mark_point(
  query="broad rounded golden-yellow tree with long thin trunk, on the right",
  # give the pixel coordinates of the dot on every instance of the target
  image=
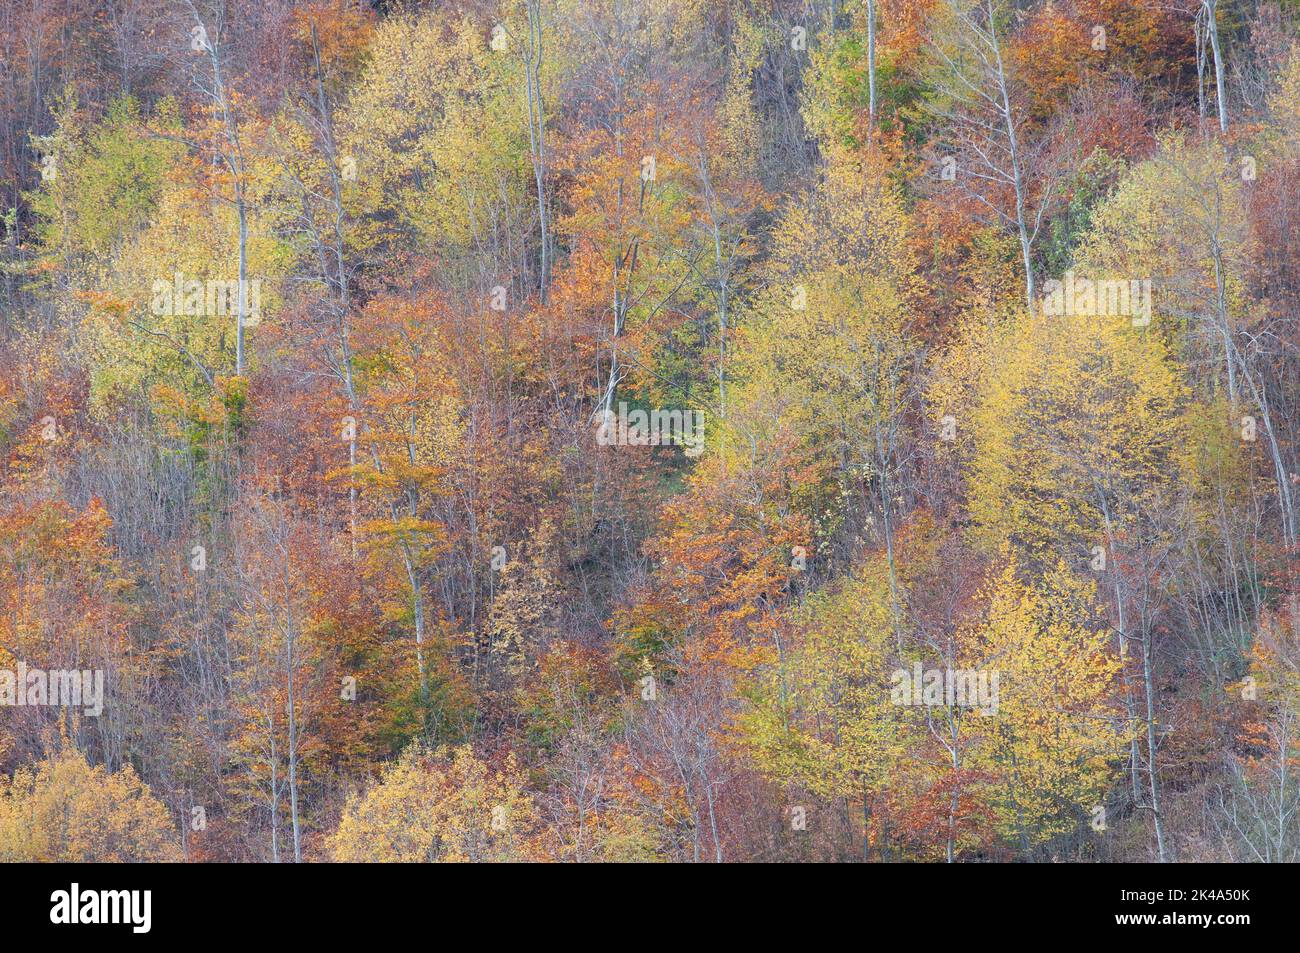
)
(1077, 428)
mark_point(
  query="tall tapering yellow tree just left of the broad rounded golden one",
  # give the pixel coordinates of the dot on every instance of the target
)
(831, 333)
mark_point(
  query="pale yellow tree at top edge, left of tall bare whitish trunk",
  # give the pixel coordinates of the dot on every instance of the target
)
(435, 137)
